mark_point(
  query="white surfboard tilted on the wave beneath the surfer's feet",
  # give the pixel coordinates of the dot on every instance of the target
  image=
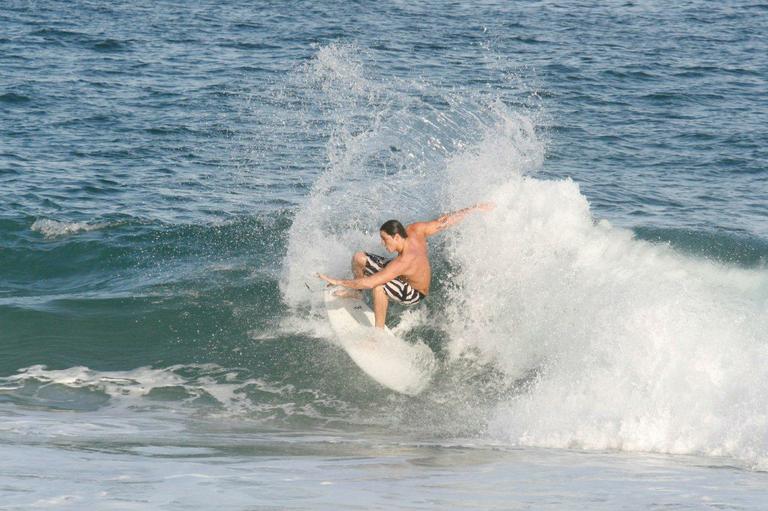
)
(389, 360)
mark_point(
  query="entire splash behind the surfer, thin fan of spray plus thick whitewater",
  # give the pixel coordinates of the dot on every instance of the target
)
(605, 340)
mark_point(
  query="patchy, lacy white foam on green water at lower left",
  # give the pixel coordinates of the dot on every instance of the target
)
(203, 390)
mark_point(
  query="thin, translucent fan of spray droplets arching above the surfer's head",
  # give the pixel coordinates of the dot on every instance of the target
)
(387, 149)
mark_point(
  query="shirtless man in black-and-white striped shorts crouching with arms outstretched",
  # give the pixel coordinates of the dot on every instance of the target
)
(405, 278)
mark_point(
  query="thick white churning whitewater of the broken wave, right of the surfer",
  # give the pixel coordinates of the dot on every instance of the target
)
(640, 348)
